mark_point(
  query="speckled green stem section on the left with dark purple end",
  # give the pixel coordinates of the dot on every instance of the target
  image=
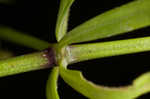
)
(24, 63)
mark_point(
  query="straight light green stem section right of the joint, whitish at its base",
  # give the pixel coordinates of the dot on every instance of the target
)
(89, 51)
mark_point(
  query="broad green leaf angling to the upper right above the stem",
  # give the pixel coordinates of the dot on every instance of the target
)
(120, 20)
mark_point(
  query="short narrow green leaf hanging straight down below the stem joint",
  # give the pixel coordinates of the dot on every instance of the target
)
(51, 88)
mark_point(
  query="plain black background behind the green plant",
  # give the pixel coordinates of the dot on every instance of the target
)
(37, 18)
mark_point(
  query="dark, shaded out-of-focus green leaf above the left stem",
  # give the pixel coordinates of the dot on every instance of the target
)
(22, 39)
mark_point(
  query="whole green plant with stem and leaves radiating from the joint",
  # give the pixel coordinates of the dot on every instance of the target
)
(120, 20)
